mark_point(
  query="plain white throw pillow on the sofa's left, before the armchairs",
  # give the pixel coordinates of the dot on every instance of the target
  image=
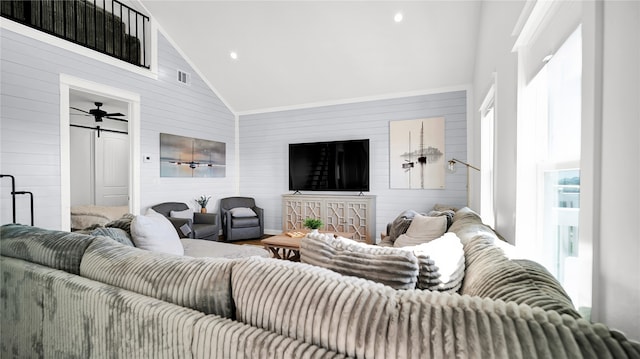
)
(154, 232)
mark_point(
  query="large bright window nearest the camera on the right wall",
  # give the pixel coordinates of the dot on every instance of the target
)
(551, 156)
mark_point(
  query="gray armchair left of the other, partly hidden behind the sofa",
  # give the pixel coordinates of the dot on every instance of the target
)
(201, 226)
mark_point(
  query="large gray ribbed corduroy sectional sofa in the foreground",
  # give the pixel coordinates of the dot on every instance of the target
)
(76, 295)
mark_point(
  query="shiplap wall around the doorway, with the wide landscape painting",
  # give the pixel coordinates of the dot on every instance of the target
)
(30, 127)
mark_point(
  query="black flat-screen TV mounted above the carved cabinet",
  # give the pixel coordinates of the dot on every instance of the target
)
(329, 166)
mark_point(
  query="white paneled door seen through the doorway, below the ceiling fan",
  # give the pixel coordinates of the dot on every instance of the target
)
(112, 169)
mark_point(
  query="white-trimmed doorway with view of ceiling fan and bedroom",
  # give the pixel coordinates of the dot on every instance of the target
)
(99, 159)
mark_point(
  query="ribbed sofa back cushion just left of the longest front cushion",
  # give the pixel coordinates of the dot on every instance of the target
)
(202, 284)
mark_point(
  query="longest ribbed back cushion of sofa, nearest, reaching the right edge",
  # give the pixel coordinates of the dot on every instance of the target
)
(362, 319)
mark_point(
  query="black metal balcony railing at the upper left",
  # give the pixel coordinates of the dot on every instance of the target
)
(106, 26)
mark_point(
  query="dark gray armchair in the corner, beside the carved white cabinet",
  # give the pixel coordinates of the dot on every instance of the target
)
(237, 222)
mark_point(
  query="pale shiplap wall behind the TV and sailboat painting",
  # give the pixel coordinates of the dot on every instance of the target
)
(264, 139)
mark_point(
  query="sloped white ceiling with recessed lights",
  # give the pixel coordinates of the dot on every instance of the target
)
(295, 54)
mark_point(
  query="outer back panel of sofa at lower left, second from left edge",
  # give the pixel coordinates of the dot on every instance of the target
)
(89, 319)
